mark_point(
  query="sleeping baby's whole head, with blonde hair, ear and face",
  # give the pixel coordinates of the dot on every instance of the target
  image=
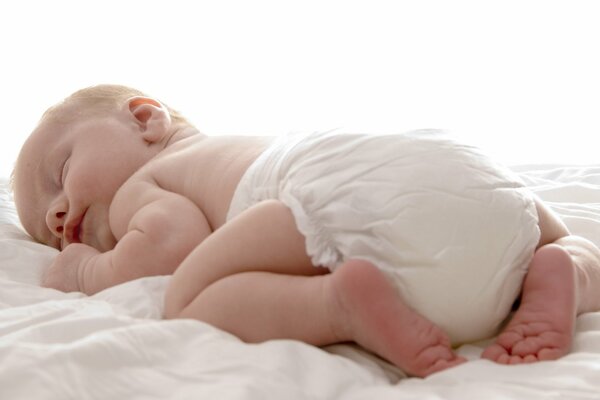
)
(82, 150)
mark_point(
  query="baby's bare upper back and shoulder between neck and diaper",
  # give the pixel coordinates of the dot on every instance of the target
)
(204, 169)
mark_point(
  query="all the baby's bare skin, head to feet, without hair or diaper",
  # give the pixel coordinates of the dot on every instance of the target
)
(156, 203)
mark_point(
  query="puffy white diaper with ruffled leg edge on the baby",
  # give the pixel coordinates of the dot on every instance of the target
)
(454, 231)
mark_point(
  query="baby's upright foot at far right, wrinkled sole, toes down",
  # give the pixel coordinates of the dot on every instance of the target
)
(542, 327)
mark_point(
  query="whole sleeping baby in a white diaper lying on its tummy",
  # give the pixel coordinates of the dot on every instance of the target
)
(400, 224)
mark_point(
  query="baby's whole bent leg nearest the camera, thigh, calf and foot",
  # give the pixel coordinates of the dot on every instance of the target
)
(250, 278)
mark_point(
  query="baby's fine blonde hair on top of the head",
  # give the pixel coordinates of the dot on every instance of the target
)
(100, 99)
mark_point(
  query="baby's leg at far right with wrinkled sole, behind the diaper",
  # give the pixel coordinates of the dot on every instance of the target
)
(562, 282)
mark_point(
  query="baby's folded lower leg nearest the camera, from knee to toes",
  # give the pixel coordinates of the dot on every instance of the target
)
(355, 303)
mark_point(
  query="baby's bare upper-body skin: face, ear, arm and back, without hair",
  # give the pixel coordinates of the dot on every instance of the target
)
(132, 213)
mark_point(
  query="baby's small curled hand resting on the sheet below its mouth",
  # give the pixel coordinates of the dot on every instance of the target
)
(64, 272)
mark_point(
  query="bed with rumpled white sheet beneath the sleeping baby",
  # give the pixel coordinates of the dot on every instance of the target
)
(114, 345)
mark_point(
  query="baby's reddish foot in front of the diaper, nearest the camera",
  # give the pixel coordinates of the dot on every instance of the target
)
(374, 315)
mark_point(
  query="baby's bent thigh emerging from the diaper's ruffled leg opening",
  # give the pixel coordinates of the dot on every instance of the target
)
(262, 238)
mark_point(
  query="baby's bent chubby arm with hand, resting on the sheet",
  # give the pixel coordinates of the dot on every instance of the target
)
(158, 237)
